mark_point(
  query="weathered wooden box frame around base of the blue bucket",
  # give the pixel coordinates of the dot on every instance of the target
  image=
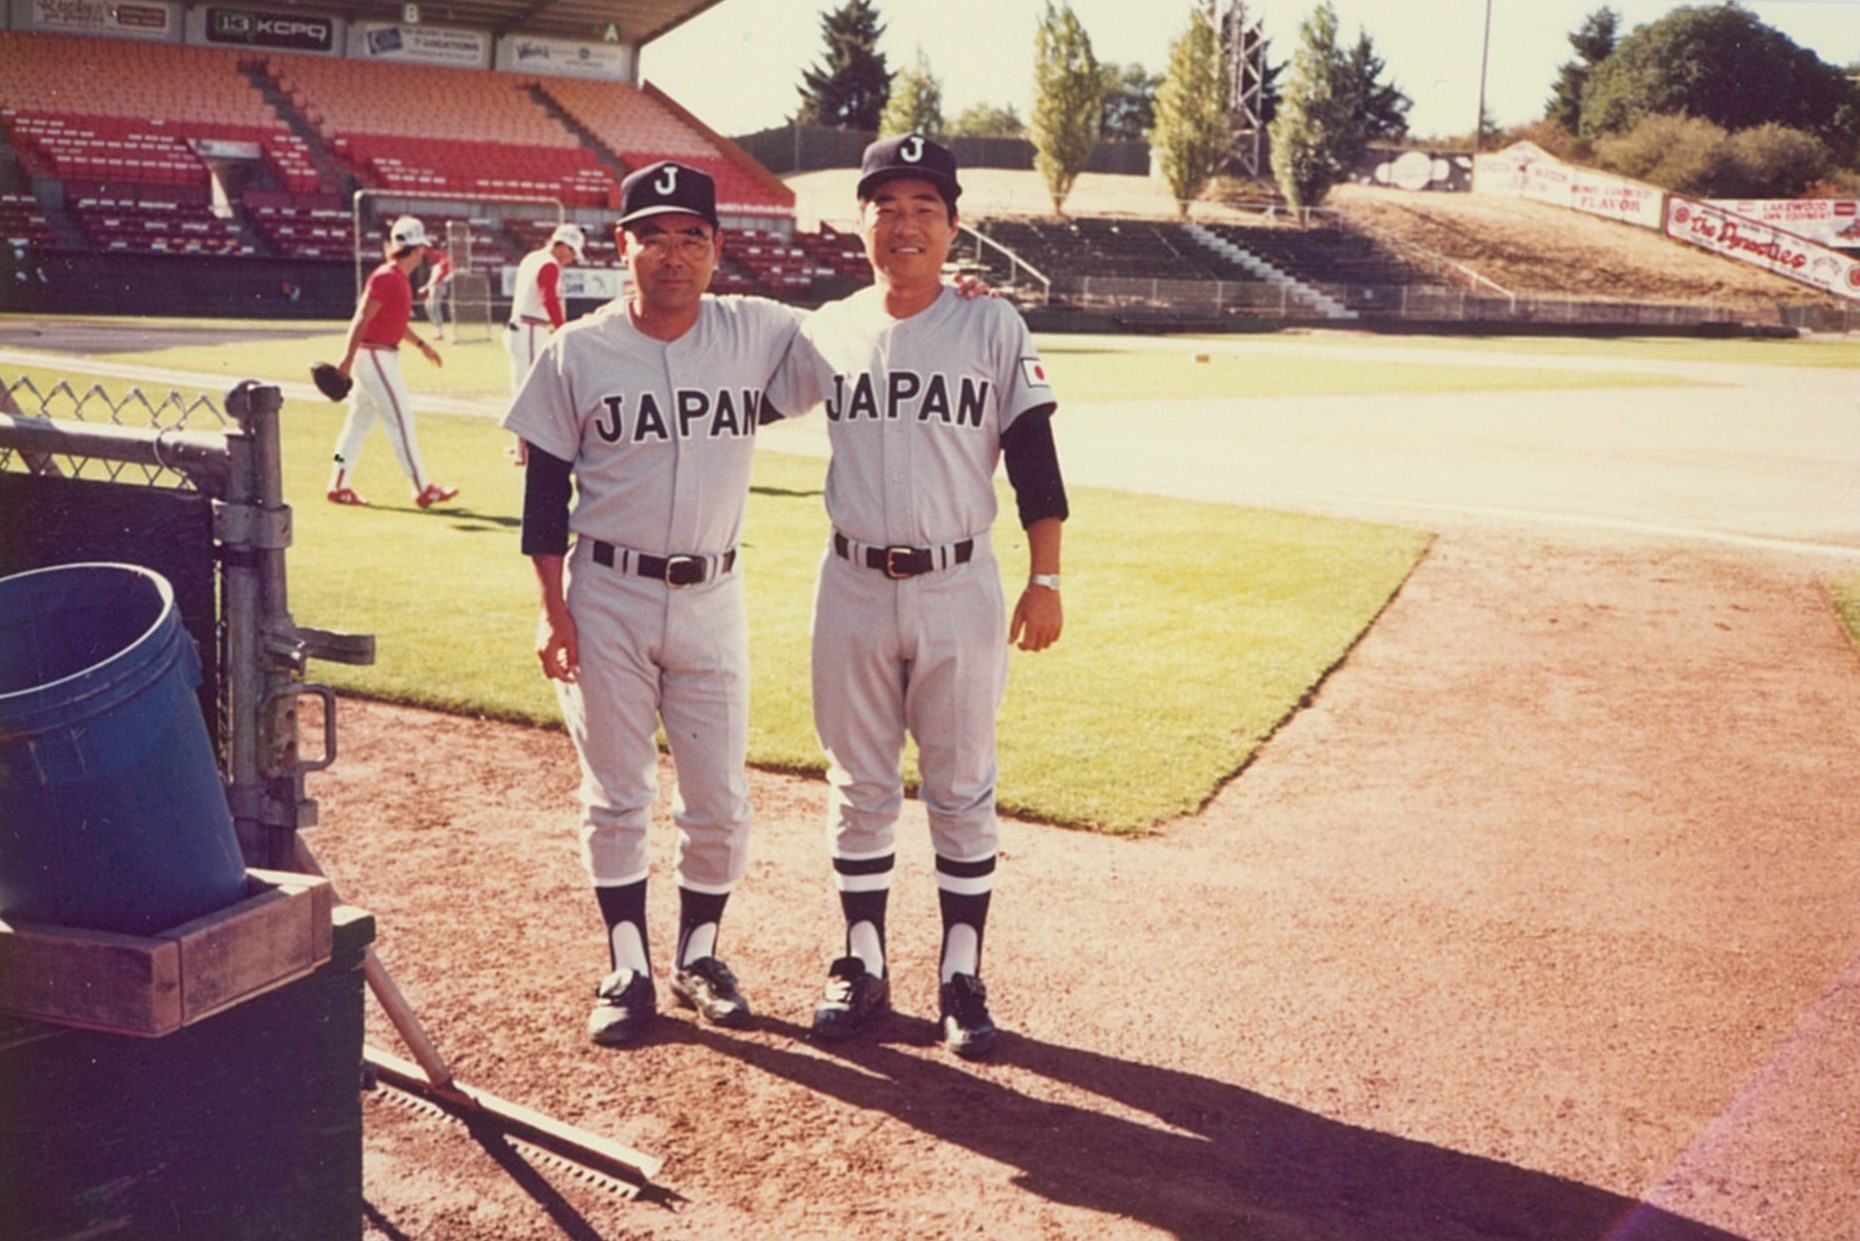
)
(155, 985)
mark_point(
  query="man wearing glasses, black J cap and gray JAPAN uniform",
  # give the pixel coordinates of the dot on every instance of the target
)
(646, 412)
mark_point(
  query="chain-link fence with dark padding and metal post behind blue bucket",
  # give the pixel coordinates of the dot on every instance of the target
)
(194, 492)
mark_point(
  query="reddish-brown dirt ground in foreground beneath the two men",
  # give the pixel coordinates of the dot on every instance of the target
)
(1539, 924)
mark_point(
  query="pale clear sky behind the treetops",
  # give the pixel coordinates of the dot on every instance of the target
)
(737, 64)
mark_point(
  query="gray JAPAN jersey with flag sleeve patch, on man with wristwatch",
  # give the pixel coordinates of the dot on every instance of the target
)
(916, 412)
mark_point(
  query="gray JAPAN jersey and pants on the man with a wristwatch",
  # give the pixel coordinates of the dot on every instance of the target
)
(916, 414)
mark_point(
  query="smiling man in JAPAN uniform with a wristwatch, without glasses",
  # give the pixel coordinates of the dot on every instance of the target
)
(925, 394)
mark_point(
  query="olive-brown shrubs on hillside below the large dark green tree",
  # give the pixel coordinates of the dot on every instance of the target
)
(1690, 155)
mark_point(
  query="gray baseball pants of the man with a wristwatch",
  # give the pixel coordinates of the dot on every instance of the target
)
(925, 656)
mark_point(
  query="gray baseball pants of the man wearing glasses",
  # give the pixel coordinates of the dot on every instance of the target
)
(656, 654)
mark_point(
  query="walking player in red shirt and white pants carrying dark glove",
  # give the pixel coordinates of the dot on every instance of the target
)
(380, 325)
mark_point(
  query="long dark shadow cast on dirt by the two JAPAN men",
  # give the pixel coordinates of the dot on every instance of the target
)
(1206, 1160)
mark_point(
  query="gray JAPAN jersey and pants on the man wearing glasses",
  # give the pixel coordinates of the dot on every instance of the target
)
(661, 438)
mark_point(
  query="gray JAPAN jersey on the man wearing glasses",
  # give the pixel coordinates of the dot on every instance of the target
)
(661, 434)
